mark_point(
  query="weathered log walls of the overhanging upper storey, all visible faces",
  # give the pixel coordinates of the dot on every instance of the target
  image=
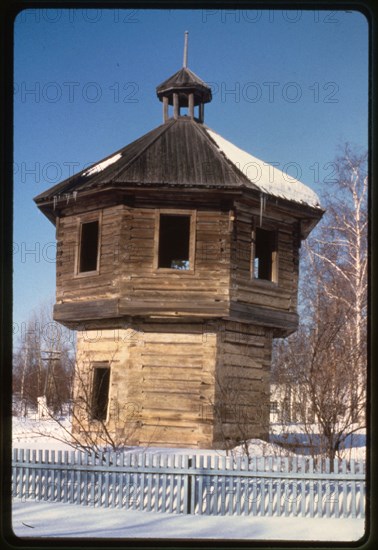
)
(220, 285)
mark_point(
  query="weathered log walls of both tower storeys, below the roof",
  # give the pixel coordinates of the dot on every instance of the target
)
(197, 383)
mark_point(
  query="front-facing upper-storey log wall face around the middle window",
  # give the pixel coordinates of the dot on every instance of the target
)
(145, 289)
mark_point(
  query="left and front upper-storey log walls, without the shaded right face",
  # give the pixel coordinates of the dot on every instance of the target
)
(127, 272)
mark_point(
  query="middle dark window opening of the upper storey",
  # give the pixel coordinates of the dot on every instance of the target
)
(174, 241)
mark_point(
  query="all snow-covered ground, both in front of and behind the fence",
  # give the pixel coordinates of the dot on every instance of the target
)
(44, 519)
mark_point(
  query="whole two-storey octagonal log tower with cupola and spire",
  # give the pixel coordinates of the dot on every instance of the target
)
(177, 265)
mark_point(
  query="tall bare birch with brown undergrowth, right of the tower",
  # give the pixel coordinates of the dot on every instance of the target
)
(326, 358)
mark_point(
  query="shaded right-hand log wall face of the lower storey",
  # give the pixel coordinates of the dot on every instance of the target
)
(242, 384)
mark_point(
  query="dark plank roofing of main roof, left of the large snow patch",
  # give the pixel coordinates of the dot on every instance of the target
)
(180, 152)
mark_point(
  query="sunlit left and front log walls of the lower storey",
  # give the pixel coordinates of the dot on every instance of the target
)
(160, 377)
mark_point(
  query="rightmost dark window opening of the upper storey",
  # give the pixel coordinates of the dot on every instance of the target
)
(265, 255)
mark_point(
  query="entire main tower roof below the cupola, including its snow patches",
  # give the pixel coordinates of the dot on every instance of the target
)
(182, 153)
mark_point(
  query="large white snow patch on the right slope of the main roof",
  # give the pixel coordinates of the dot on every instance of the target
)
(268, 178)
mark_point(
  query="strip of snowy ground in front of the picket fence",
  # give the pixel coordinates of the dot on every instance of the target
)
(42, 519)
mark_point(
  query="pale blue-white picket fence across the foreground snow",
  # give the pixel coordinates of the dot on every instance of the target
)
(197, 484)
